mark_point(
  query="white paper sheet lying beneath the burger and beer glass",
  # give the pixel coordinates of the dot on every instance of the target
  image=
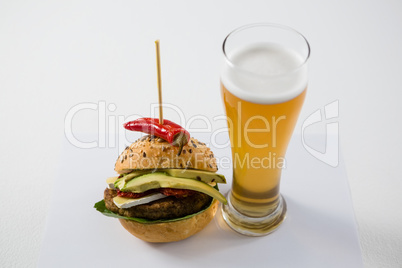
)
(319, 229)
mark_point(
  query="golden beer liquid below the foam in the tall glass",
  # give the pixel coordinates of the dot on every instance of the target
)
(259, 137)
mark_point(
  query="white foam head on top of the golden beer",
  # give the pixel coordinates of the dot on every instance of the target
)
(265, 73)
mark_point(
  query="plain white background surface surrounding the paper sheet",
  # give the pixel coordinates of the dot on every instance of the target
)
(57, 54)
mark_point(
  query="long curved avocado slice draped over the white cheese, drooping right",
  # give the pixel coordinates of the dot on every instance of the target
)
(162, 180)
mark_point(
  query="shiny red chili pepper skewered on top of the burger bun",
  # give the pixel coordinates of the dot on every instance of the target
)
(169, 131)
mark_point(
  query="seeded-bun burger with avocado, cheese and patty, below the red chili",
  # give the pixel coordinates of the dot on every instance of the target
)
(163, 193)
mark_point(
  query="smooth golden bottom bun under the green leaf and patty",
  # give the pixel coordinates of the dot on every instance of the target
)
(171, 231)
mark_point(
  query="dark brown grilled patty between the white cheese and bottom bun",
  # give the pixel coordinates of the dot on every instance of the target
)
(166, 208)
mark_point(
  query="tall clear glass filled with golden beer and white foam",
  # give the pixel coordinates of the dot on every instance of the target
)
(263, 86)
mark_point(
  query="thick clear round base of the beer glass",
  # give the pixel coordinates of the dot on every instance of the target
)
(251, 226)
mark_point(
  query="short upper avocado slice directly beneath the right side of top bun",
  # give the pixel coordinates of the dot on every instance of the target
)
(199, 175)
